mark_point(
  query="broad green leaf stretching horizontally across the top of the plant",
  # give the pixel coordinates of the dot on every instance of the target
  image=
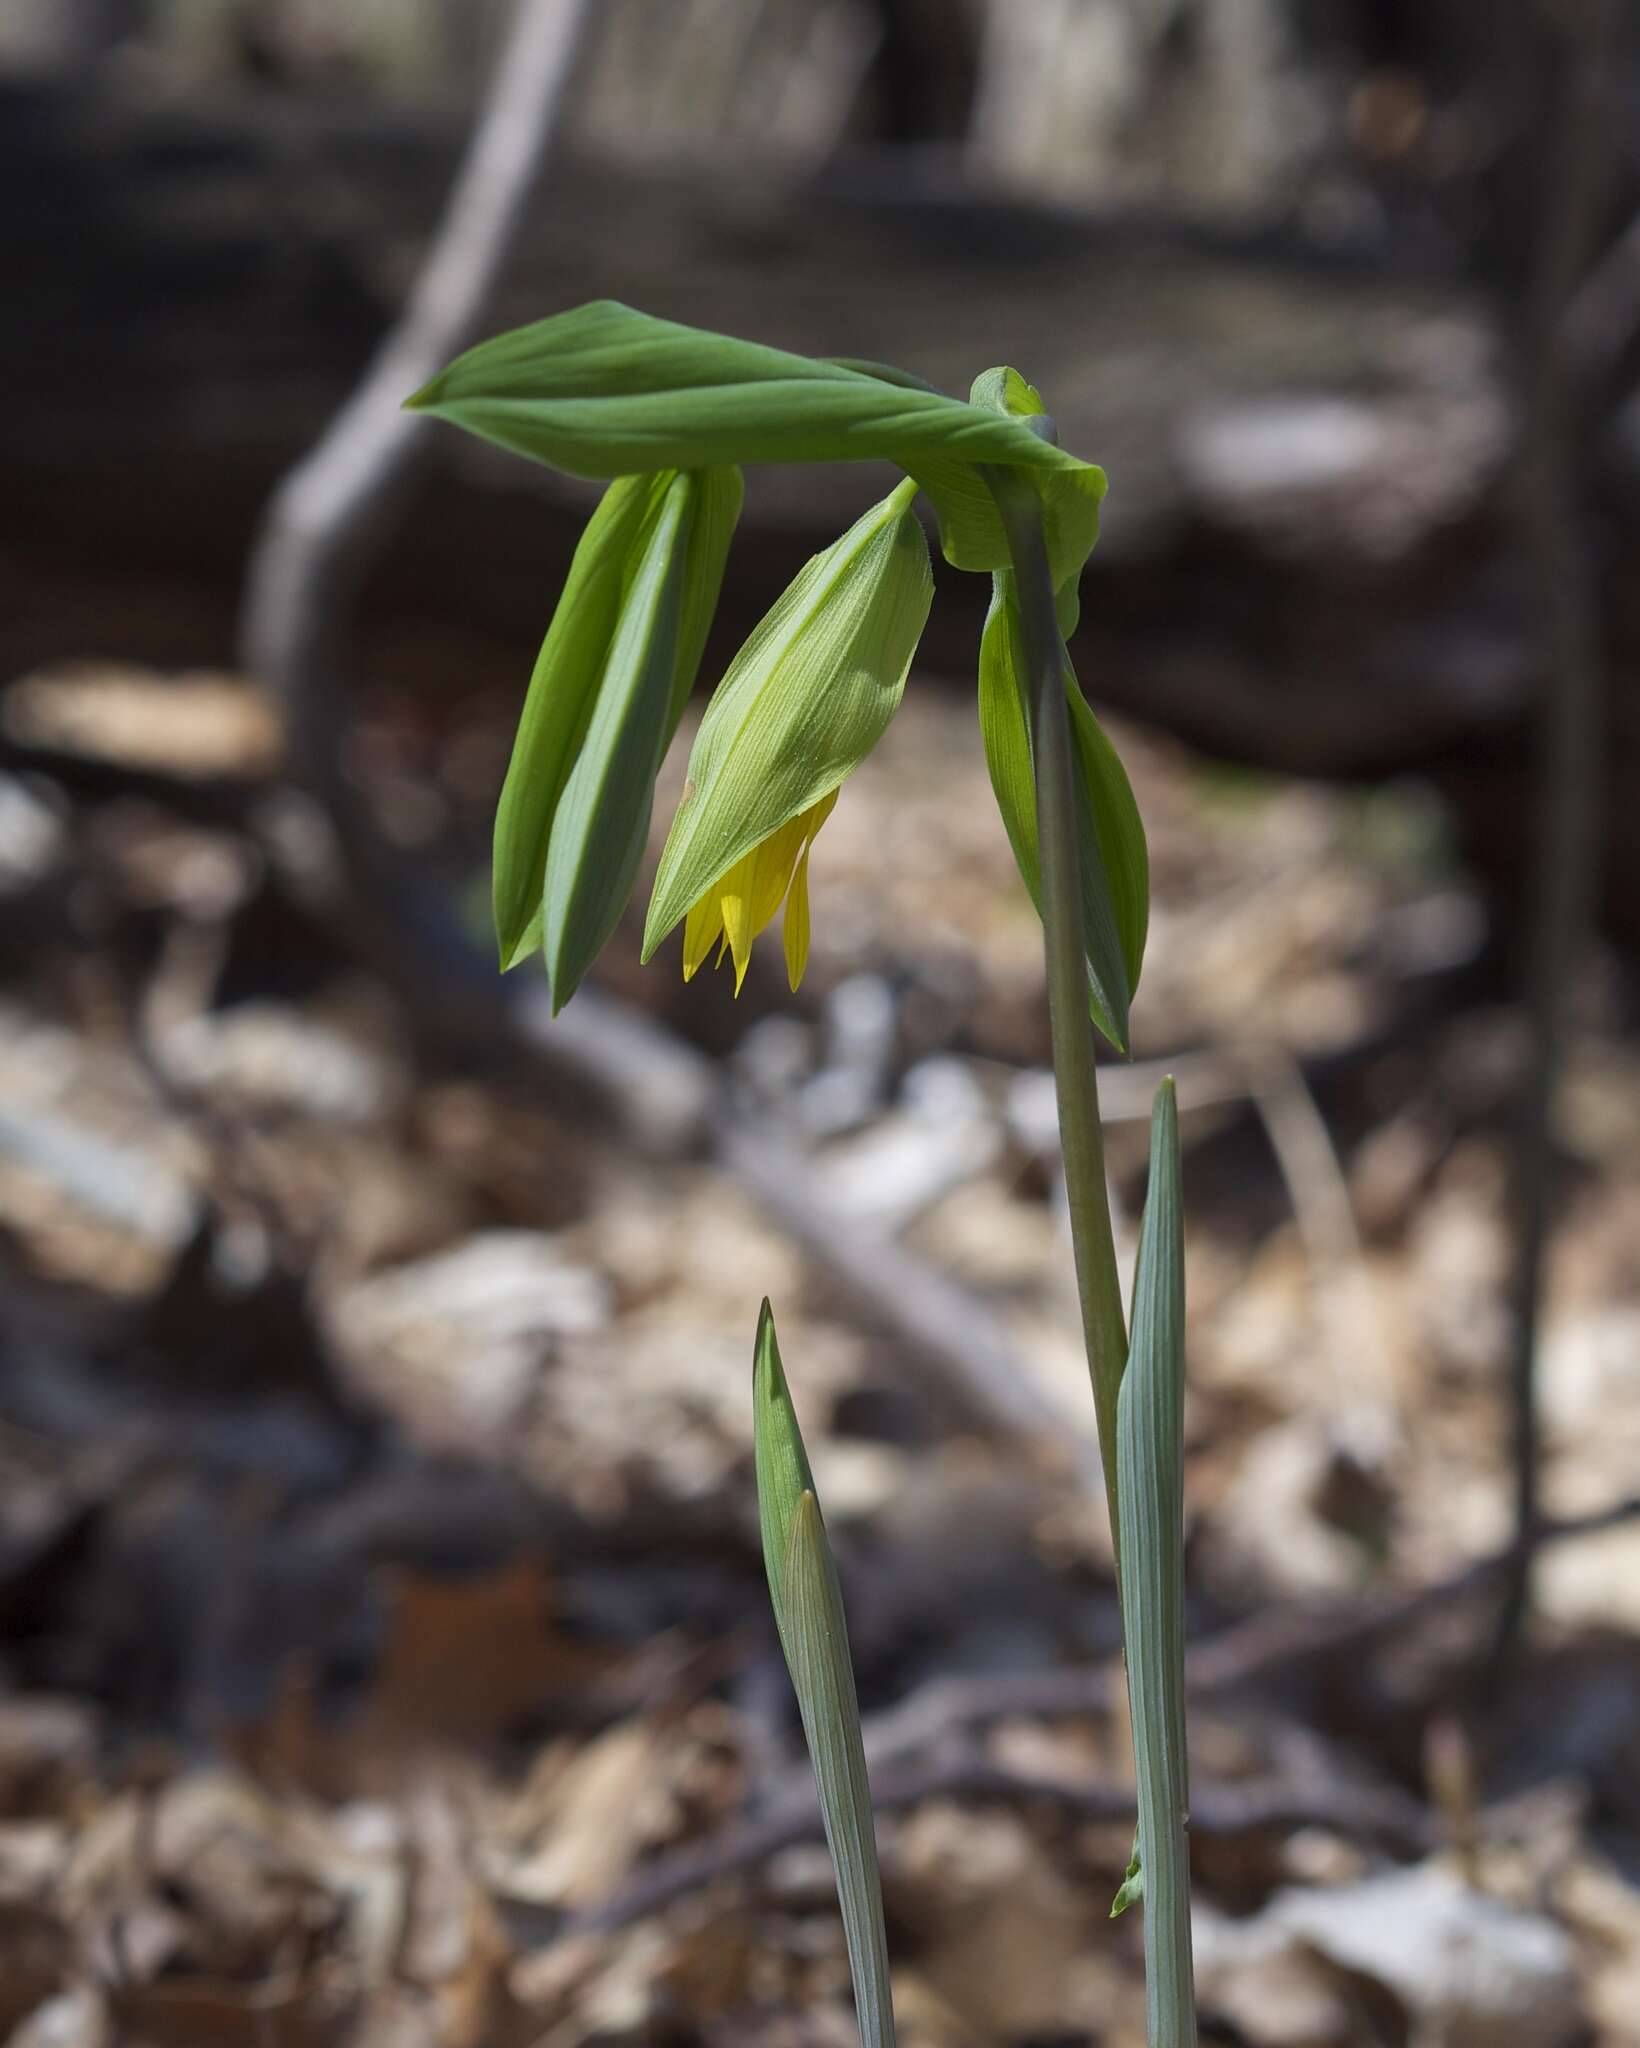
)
(603, 392)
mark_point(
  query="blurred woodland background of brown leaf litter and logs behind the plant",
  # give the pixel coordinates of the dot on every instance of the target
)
(384, 1648)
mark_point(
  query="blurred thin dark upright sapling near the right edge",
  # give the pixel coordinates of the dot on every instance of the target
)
(1555, 540)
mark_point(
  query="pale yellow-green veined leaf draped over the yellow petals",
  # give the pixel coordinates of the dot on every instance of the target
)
(804, 703)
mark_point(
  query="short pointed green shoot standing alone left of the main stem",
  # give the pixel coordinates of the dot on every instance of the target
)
(814, 1635)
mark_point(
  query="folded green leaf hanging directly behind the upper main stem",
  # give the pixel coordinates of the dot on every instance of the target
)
(1115, 863)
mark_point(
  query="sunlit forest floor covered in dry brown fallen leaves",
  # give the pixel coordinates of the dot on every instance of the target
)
(386, 1652)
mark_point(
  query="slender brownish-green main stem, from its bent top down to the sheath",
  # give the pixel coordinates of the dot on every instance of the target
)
(1070, 1021)
